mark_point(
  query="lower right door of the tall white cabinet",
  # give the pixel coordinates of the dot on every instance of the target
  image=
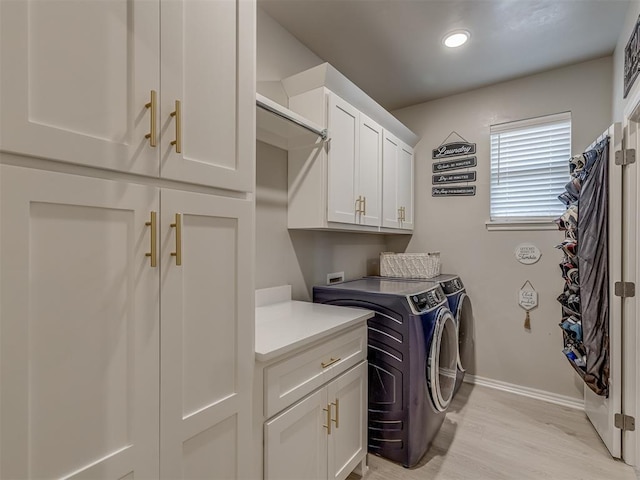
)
(206, 336)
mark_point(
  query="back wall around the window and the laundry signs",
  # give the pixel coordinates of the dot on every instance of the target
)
(484, 259)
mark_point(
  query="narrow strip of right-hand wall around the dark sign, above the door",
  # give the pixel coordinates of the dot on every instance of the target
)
(619, 103)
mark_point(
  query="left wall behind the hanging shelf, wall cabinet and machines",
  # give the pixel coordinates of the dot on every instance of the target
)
(299, 258)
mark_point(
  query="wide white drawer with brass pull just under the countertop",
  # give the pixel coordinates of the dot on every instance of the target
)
(291, 379)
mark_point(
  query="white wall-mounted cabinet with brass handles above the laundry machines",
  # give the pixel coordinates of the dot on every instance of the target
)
(338, 184)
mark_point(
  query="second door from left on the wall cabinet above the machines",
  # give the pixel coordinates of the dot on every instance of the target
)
(369, 168)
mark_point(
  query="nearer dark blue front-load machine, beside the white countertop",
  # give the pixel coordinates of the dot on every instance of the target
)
(412, 354)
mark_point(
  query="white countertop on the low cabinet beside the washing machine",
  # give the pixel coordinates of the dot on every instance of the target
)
(286, 325)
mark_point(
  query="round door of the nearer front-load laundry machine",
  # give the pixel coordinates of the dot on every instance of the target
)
(442, 360)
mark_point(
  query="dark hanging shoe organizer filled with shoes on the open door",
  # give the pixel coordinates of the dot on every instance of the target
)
(584, 267)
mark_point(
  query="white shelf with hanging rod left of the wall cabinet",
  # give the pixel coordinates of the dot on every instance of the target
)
(283, 128)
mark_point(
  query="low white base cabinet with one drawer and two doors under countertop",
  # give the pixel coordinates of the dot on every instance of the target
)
(314, 418)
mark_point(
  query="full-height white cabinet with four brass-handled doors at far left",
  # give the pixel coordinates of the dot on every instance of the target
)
(126, 238)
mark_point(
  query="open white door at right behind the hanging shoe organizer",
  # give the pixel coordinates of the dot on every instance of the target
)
(601, 410)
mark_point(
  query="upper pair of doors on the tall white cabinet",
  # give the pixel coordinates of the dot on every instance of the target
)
(96, 86)
